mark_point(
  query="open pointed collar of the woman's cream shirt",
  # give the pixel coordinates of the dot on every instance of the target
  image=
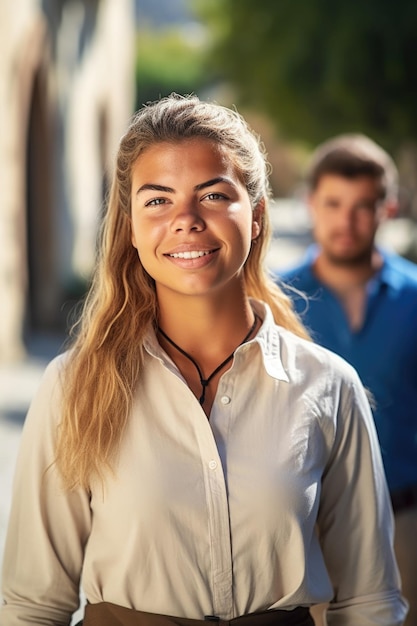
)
(267, 339)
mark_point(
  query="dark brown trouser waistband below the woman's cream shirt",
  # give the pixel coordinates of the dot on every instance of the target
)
(107, 614)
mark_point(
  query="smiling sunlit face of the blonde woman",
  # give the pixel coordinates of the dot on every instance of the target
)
(192, 220)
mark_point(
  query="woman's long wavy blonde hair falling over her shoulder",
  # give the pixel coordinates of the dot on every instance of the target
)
(105, 361)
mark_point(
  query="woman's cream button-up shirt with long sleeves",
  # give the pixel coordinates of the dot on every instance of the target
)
(278, 500)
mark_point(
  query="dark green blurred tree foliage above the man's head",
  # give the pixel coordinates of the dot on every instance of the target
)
(319, 67)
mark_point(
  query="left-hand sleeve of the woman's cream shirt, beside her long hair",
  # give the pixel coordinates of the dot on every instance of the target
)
(48, 527)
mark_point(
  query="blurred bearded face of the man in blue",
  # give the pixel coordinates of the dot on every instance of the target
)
(346, 214)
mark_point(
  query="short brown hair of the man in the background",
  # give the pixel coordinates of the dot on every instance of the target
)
(352, 156)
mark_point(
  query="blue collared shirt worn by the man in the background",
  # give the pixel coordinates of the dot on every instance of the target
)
(383, 351)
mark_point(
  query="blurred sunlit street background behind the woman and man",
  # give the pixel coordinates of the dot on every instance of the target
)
(73, 71)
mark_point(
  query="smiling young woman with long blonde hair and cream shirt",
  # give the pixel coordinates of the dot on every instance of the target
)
(194, 456)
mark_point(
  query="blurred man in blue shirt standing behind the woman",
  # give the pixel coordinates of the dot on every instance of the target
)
(361, 302)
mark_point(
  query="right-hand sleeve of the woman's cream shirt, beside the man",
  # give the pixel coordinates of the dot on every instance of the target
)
(355, 522)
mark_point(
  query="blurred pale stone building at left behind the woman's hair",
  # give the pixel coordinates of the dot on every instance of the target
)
(66, 94)
